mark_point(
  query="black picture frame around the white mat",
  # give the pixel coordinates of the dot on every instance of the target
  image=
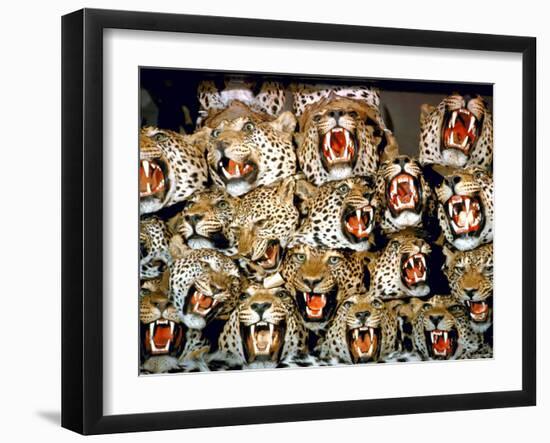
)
(82, 218)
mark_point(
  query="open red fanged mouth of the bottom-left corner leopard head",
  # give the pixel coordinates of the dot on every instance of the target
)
(162, 337)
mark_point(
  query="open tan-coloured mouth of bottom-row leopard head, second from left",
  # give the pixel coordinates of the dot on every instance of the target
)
(263, 341)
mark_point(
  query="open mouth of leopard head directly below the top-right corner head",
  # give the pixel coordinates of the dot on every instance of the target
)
(465, 214)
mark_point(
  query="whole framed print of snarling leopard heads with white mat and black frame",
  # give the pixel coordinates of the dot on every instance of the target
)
(323, 211)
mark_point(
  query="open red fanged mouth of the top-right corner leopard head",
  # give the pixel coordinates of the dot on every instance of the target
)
(460, 131)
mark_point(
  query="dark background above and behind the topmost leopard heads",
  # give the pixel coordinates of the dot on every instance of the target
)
(164, 93)
